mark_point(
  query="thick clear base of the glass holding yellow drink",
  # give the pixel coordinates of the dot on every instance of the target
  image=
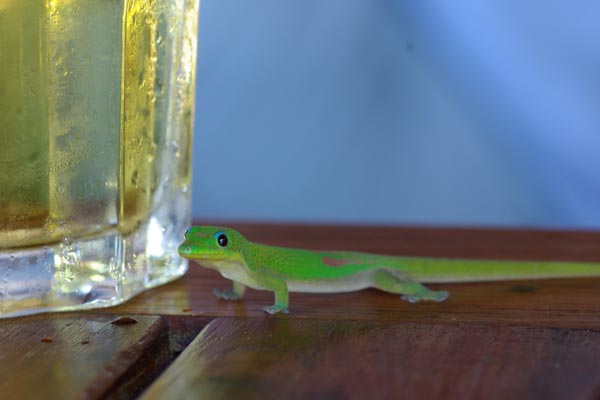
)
(88, 272)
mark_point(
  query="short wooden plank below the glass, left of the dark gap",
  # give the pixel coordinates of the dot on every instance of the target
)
(81, 356)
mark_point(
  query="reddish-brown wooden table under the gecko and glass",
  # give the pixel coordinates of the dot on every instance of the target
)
(527, 339)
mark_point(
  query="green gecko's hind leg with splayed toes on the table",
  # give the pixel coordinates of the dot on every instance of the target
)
(411, 291)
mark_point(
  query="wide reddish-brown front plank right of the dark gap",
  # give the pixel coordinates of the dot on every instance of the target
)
(312, 359)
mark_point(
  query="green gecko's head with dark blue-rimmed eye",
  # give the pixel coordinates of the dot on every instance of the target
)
(212, 243)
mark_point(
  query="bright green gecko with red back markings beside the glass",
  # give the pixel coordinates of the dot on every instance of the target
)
(281, 270)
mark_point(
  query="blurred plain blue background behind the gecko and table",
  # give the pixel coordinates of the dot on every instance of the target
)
(398, 112)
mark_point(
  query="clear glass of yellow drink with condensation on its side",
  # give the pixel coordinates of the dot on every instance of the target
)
(96, 103)
